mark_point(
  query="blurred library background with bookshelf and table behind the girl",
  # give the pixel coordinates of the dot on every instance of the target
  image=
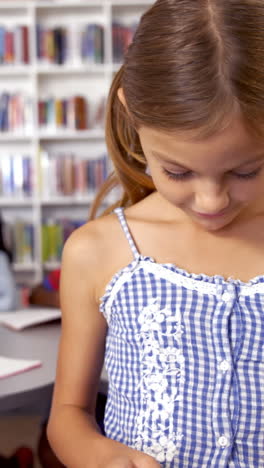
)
(57, 61)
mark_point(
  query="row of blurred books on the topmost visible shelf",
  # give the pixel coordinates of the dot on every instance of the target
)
(55, 45)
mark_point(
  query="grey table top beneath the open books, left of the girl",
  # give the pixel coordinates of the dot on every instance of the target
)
(39, 342)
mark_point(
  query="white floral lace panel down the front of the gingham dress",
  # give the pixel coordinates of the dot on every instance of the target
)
(161, 374)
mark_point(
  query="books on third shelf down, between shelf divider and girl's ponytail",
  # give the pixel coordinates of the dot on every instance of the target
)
(70, 174)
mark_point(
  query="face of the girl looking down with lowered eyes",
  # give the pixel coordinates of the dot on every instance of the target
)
(214, 181)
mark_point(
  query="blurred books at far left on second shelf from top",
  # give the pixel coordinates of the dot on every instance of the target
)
(16, 112)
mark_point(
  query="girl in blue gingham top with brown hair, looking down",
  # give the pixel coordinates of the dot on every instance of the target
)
(170, 285)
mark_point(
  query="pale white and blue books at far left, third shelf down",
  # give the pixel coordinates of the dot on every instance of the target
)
(16, 175)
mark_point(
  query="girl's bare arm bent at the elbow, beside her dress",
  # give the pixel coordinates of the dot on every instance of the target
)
(72, 429)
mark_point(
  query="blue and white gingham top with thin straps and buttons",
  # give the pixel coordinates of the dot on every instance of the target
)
(185, 359)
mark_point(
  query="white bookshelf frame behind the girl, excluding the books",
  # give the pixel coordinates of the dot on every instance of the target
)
(40, 80)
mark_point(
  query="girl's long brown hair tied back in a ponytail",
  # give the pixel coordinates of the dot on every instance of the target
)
(193, 65)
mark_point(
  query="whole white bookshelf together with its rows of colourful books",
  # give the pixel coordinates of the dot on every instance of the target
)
(55, 64)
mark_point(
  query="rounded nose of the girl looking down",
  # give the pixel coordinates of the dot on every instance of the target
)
(211, 198)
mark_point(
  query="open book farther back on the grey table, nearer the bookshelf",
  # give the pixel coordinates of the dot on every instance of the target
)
(19, 319)
